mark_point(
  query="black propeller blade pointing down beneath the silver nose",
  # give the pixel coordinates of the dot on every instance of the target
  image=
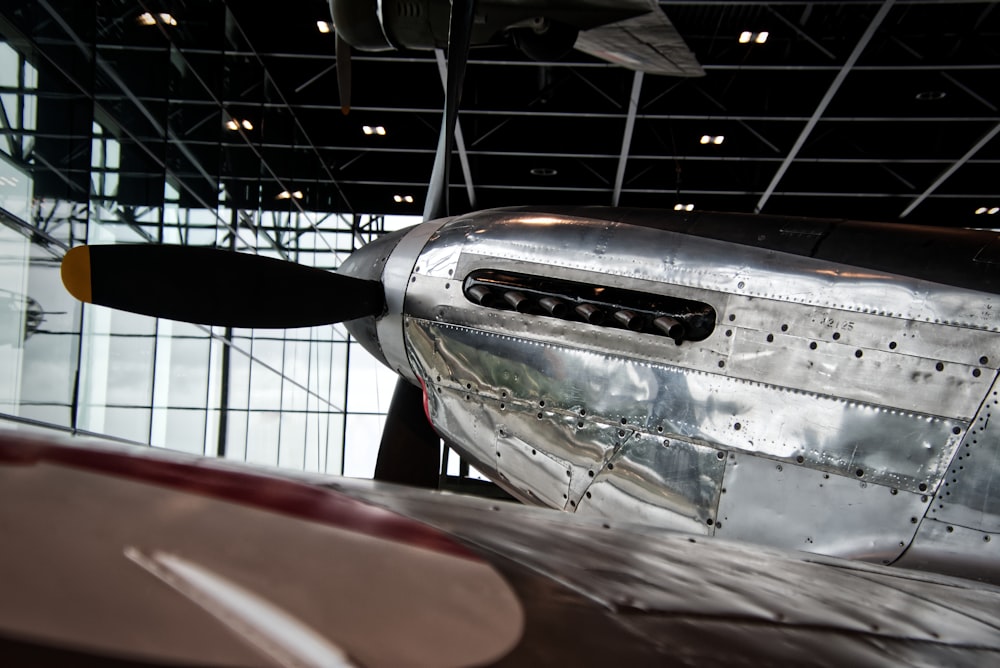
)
(410, 452)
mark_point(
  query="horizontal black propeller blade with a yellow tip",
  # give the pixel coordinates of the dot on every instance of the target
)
(215, 287)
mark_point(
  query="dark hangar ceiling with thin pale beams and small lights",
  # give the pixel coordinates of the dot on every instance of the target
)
(870, 110)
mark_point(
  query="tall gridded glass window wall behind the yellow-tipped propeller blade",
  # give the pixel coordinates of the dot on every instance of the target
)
(103, 153)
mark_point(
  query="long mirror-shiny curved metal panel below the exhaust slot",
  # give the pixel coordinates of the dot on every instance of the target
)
(824, 432)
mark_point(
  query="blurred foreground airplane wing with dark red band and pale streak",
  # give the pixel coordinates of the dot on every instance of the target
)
(116, 555)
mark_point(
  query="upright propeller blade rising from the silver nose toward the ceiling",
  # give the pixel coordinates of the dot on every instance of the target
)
(459, 35)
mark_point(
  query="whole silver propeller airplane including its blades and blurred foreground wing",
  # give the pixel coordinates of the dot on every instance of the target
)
(818, 385)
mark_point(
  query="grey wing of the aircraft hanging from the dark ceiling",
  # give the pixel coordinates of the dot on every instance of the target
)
(647, 43)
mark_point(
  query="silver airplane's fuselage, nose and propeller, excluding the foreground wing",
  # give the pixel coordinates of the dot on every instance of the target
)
(825, 386)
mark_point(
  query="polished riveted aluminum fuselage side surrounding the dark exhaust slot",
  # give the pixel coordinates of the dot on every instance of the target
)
(833, 409)
